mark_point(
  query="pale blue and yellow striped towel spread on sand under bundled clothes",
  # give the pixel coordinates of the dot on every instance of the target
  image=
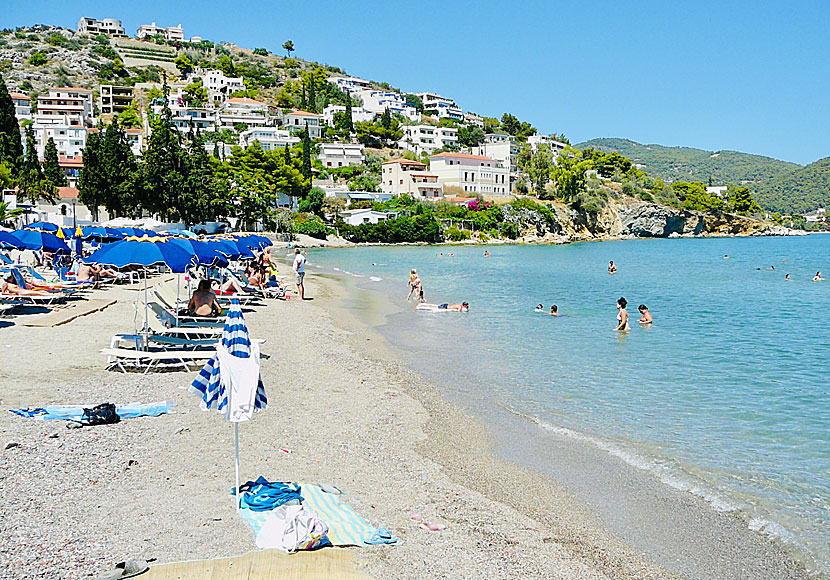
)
(346, 528)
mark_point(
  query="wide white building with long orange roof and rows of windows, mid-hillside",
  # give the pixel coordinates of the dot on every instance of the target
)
(474, 174)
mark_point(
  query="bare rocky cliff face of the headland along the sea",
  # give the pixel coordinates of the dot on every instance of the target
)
(633, 218)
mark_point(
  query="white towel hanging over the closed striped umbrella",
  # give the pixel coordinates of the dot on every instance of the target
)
(240, 377)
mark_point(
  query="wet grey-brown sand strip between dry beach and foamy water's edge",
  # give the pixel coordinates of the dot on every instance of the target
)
(733, 548)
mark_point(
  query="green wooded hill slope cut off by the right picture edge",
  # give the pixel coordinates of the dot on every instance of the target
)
(799, 191)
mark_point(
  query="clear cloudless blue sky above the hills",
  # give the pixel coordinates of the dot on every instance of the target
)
(751, 76)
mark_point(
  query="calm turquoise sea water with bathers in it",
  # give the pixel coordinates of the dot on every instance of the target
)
(726, 395)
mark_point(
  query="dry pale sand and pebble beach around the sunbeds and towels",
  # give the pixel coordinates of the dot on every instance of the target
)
(77, 501)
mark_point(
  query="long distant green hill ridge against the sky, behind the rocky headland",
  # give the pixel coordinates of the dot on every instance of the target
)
(689, 164)
